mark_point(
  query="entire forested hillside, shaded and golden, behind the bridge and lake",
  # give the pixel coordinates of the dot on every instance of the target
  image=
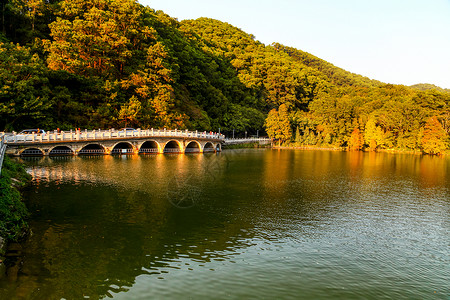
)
(110, 63)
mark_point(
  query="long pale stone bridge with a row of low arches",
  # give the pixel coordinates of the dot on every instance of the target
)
(98, 142)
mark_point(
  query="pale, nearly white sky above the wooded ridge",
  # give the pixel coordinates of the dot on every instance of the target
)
(394, 41)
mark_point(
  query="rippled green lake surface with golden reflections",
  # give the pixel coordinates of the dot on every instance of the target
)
(242, 224)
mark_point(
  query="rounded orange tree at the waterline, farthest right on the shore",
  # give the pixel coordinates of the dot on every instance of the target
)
(434, 137)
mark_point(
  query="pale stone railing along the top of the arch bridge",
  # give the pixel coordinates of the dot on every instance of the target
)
(77, 135)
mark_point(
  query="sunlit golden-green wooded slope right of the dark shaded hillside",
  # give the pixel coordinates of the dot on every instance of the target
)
(323, 104)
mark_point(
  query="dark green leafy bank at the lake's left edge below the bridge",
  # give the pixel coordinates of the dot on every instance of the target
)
(13, 213)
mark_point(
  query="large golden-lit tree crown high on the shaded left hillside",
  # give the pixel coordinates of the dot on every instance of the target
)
(102, 40)
